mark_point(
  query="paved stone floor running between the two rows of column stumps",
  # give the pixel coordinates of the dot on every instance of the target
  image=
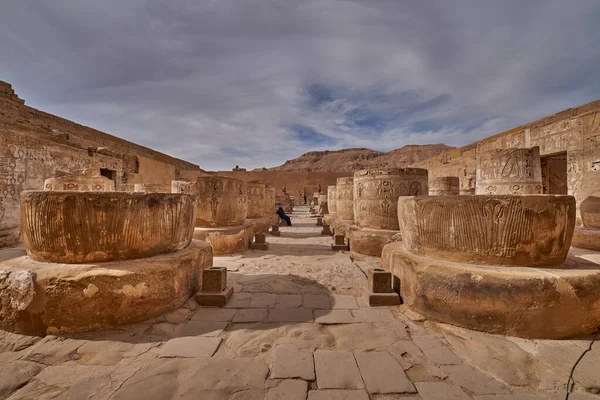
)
(296, 328)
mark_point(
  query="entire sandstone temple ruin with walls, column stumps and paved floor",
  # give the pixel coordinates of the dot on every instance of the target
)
(465, 275)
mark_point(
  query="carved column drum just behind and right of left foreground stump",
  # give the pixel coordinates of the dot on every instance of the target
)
(220, 201)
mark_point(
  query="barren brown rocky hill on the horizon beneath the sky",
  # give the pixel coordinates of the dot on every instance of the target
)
(355, 159)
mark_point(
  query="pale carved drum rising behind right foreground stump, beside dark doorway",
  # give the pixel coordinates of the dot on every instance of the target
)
(509, 171)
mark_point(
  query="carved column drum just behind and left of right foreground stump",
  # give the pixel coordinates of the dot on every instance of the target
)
(376, 192)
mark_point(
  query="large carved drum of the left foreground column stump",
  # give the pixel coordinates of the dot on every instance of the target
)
(82, 227)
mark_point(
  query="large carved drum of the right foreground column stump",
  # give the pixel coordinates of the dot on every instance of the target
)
(496, 230)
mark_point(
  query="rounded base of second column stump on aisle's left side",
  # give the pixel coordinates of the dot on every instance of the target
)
(227, 240)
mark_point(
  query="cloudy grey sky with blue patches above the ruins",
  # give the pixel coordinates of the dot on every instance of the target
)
(254, 83)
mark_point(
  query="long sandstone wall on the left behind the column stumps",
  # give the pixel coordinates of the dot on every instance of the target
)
(34, 145)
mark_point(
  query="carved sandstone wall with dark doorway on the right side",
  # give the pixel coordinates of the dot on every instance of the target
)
(574, 133)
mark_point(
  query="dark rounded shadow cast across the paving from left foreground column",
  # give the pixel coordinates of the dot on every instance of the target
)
(281, 300)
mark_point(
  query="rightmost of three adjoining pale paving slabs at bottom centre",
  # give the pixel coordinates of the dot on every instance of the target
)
(382, 374)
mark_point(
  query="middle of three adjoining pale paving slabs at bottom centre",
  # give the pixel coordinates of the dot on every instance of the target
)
(337, 370)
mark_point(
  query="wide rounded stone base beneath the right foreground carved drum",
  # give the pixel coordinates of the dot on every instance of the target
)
(536, 303)
